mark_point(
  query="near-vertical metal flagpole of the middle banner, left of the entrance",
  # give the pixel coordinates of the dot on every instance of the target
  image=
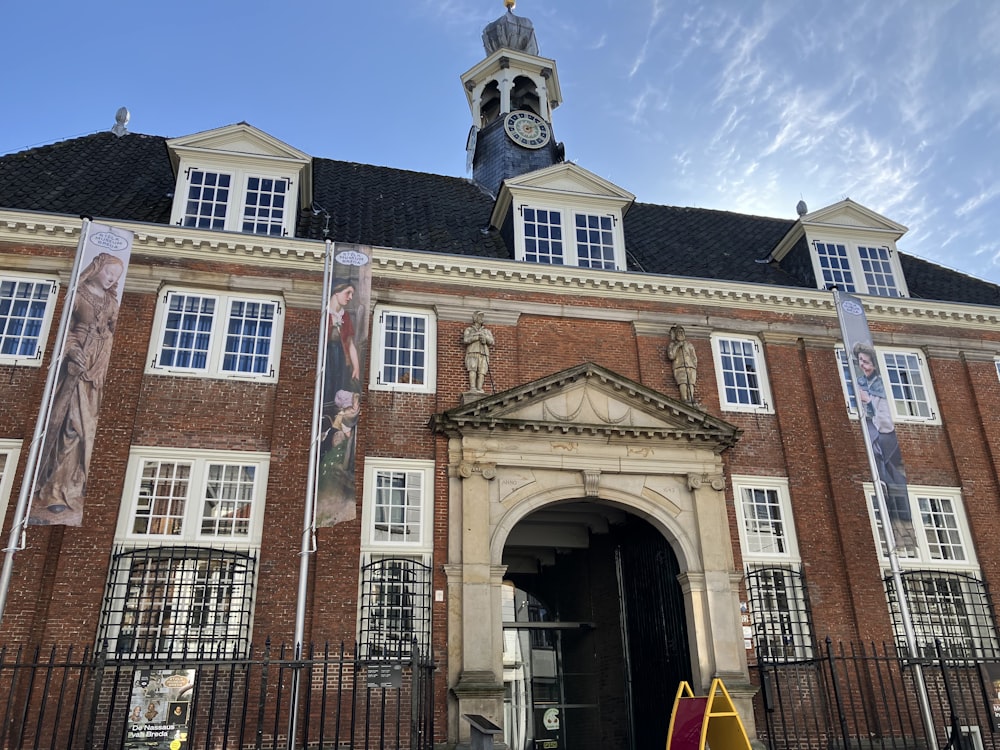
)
(309, 514)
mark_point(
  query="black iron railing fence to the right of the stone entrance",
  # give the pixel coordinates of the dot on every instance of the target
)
(865, 697)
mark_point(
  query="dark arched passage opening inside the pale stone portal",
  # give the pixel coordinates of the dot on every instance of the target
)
(595, 637)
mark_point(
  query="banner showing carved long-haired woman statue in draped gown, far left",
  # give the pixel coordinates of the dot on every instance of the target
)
(81, 356)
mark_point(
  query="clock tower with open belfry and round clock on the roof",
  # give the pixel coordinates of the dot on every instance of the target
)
(511, 94)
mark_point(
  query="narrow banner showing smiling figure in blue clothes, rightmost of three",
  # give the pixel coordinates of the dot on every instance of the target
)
(879, 428)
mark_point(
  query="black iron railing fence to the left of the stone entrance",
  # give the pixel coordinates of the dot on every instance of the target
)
(65, 698)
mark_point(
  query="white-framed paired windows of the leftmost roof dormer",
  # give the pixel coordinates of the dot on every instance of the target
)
(236, 200)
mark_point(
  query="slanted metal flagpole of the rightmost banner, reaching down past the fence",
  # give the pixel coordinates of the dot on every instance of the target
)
(909, 634)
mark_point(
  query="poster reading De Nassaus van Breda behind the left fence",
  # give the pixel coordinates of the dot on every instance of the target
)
(160, 709)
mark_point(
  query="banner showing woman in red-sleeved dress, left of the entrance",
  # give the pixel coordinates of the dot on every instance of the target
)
(344, 339)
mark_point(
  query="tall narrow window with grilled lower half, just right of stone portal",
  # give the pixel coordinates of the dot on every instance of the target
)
(776, 593)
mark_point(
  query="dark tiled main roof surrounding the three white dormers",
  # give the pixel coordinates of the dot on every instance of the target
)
(131, 178)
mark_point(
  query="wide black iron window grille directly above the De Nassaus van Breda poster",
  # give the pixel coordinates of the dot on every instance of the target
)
(179, 602)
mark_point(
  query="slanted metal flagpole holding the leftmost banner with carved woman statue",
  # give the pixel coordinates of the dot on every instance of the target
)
(16, 541)
